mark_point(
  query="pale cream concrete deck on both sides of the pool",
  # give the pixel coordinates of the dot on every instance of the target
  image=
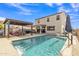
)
(7, 49)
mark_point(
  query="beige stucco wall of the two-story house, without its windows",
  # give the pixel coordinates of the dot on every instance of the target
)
(59, 24)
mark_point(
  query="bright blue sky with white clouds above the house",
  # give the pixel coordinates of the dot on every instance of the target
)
(31, 11)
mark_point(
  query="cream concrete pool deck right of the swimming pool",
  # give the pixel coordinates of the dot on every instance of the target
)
(71, 50)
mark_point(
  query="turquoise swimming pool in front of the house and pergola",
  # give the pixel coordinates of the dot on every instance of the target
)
(46, 45)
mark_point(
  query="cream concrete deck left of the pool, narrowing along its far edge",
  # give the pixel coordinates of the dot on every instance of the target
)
(7, 49)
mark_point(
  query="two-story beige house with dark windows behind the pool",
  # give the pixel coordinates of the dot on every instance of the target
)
(55, 23)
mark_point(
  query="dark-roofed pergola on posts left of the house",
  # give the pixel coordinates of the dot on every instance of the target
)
(7, 23)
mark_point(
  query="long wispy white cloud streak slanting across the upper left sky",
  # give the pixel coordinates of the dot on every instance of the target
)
(23, 10)
